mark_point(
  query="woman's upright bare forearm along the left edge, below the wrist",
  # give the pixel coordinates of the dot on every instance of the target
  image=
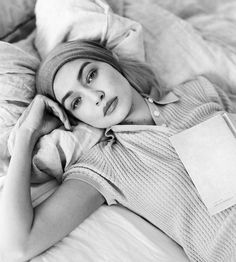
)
(15, 206)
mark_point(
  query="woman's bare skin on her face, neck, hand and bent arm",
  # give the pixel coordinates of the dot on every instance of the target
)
(27, 231)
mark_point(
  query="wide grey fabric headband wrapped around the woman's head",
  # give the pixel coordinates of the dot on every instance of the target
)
(65, 52)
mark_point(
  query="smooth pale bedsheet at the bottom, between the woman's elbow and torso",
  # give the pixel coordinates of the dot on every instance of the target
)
(114, 234)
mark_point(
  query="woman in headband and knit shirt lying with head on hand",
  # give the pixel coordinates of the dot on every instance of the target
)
(133, 165)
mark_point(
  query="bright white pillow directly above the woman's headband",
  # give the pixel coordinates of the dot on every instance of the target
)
(86, 19)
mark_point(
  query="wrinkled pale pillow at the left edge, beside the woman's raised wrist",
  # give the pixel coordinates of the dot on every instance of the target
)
(17, 88)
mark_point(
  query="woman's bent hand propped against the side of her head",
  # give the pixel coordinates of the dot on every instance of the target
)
(43, 115)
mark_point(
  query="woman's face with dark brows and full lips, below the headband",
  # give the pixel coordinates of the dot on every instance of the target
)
(94, 92)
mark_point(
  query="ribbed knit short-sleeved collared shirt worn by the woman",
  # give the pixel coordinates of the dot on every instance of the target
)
(139, 169)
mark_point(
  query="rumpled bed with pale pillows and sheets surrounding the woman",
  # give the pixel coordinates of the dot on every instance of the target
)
(169, 39)
